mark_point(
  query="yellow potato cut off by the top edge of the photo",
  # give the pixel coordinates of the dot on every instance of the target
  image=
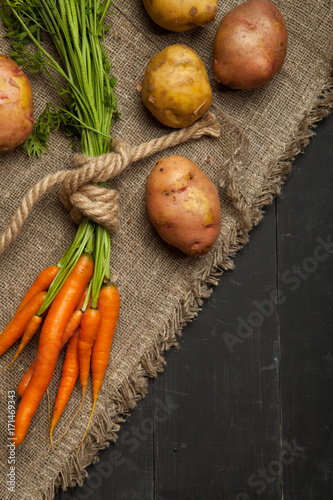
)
(176, 15)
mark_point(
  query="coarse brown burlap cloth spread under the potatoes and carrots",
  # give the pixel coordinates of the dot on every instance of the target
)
(261, 133)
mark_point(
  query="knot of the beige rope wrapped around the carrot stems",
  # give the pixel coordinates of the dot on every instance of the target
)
(83, 199)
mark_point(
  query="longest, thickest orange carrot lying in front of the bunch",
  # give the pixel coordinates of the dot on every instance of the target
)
(54, 325)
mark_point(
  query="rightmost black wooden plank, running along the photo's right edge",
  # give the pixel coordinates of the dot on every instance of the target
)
(305, 263)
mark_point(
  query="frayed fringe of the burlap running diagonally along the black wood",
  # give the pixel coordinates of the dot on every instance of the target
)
(135, 386)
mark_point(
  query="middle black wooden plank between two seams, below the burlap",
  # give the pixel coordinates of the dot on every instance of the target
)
(224, 385)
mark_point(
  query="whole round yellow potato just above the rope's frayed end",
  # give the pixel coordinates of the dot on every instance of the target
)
(176, 87)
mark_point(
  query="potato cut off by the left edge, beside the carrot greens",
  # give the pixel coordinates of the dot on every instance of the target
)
(16, 105)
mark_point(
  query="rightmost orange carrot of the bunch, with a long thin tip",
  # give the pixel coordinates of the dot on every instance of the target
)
(108, 305)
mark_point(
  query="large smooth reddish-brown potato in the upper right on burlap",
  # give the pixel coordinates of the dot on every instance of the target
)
(250, 45)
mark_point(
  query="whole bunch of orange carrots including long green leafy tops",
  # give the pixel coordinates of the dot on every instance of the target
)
(58, 300)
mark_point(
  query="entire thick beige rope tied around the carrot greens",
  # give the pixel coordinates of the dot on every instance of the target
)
(81, 198)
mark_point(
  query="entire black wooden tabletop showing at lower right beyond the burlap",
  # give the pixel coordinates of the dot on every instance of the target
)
(243, 410)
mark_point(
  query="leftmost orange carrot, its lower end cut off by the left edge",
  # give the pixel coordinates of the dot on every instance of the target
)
(15, 328)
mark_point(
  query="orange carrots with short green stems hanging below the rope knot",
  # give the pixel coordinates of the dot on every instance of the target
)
(76, 303)
